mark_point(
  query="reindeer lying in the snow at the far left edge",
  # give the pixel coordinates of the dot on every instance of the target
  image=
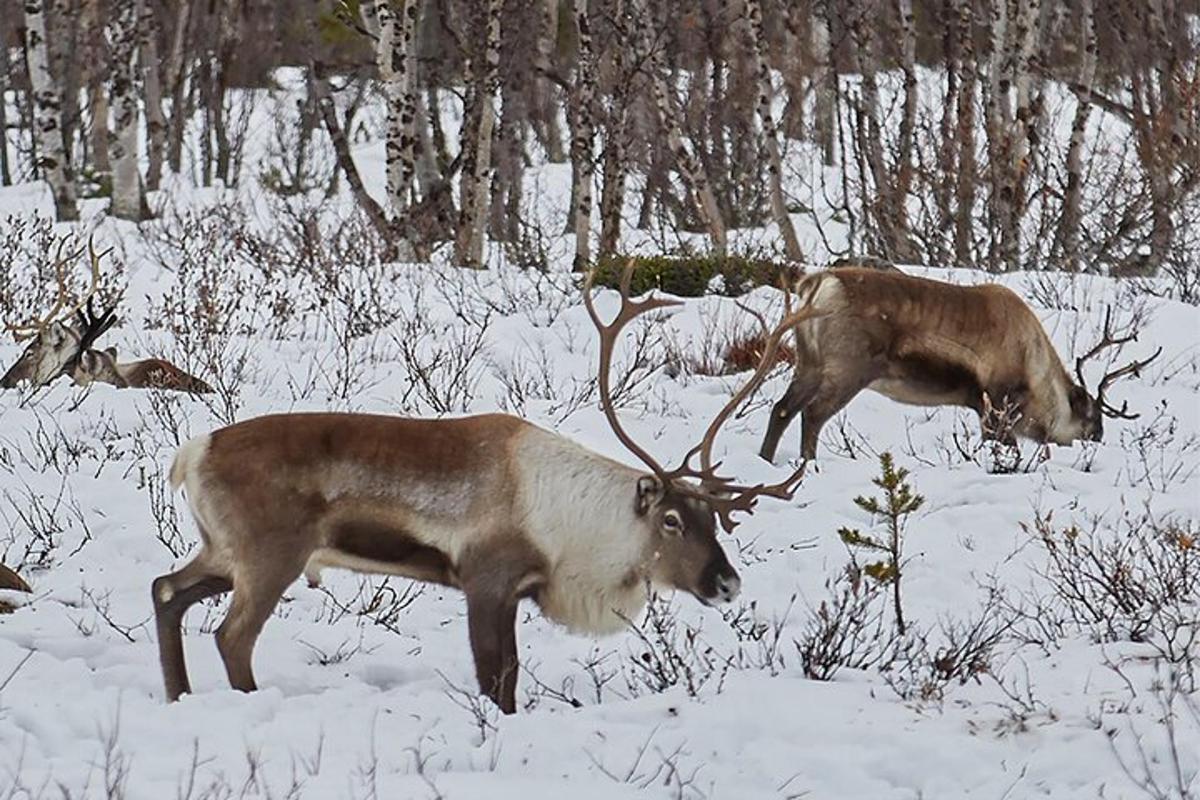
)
(64, 348)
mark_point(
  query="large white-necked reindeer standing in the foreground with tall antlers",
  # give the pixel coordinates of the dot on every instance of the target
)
(491, 506)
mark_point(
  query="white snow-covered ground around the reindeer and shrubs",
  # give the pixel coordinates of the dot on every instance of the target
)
(369, 687)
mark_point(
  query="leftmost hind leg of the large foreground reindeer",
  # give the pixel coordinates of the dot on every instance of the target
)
(173, 596)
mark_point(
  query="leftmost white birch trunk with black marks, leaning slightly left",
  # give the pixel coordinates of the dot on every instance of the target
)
(47, 110)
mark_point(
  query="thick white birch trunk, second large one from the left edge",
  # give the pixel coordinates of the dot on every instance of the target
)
(129, 194)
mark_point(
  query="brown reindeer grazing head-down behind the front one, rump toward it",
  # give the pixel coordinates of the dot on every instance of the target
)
(932, 344)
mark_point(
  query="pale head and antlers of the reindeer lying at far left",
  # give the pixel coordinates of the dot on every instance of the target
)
(56, 345)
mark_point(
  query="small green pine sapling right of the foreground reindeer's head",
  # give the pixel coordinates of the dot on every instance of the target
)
(896, 506)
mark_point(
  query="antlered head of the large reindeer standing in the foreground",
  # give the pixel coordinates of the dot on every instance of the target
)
(685, 504)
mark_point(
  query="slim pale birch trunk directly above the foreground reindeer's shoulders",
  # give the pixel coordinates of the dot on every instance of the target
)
(478, 140)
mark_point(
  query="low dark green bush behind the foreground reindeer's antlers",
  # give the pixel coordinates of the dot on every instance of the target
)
(689, 276)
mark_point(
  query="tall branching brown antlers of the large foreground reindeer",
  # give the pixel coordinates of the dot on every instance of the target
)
(722, 495)
